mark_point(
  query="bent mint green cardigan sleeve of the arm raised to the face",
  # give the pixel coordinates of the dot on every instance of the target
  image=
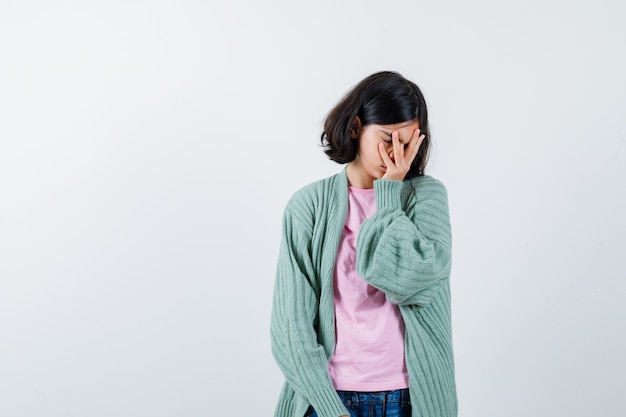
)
(406, 252)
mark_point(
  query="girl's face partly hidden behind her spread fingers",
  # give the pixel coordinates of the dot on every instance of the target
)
(368, 164)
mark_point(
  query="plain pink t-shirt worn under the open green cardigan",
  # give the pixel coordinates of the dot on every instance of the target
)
(369, 354)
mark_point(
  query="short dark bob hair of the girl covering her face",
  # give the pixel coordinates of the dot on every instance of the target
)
(382, 98)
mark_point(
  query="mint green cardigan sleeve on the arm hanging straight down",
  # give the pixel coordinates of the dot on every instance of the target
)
(295, 346)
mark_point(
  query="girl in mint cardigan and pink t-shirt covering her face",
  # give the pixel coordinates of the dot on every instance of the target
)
(361, 311)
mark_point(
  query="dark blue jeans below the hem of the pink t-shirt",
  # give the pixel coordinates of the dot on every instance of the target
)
(374, 404)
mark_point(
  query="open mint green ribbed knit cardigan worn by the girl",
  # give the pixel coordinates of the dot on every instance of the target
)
(403, 250)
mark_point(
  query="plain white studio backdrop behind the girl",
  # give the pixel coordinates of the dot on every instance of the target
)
(147, 150)
